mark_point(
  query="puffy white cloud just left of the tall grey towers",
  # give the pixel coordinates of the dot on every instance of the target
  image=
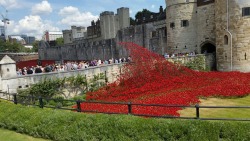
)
(72, 16)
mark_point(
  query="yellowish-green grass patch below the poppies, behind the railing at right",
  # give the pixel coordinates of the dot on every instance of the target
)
(220, 113)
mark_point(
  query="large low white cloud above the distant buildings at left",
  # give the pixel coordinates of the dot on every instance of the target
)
(32, 26)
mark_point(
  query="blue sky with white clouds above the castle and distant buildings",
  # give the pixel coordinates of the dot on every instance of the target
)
(33, 17)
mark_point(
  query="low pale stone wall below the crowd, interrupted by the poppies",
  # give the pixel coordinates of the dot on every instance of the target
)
(10, 82)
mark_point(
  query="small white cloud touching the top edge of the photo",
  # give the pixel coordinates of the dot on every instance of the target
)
(42, 8)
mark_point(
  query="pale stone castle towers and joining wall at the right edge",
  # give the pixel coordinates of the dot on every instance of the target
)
(222, 25)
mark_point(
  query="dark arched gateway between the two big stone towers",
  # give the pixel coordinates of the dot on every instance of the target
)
(209, 49)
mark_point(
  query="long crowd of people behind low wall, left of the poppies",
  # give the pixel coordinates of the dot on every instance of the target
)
(68, 66)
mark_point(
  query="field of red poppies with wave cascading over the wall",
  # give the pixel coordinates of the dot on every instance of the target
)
(150, 79)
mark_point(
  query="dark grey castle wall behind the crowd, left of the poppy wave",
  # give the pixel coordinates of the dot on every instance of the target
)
(84, 50)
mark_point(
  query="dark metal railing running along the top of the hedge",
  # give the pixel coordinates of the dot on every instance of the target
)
(42, 103)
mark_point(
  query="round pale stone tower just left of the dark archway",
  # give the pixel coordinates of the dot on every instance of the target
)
(181, 25)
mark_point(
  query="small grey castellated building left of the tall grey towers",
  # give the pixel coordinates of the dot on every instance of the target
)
(75, 33)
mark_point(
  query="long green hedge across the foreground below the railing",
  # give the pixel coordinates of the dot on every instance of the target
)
(71, 126)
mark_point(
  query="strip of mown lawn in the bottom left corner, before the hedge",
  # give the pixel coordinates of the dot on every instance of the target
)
(7, 135)
